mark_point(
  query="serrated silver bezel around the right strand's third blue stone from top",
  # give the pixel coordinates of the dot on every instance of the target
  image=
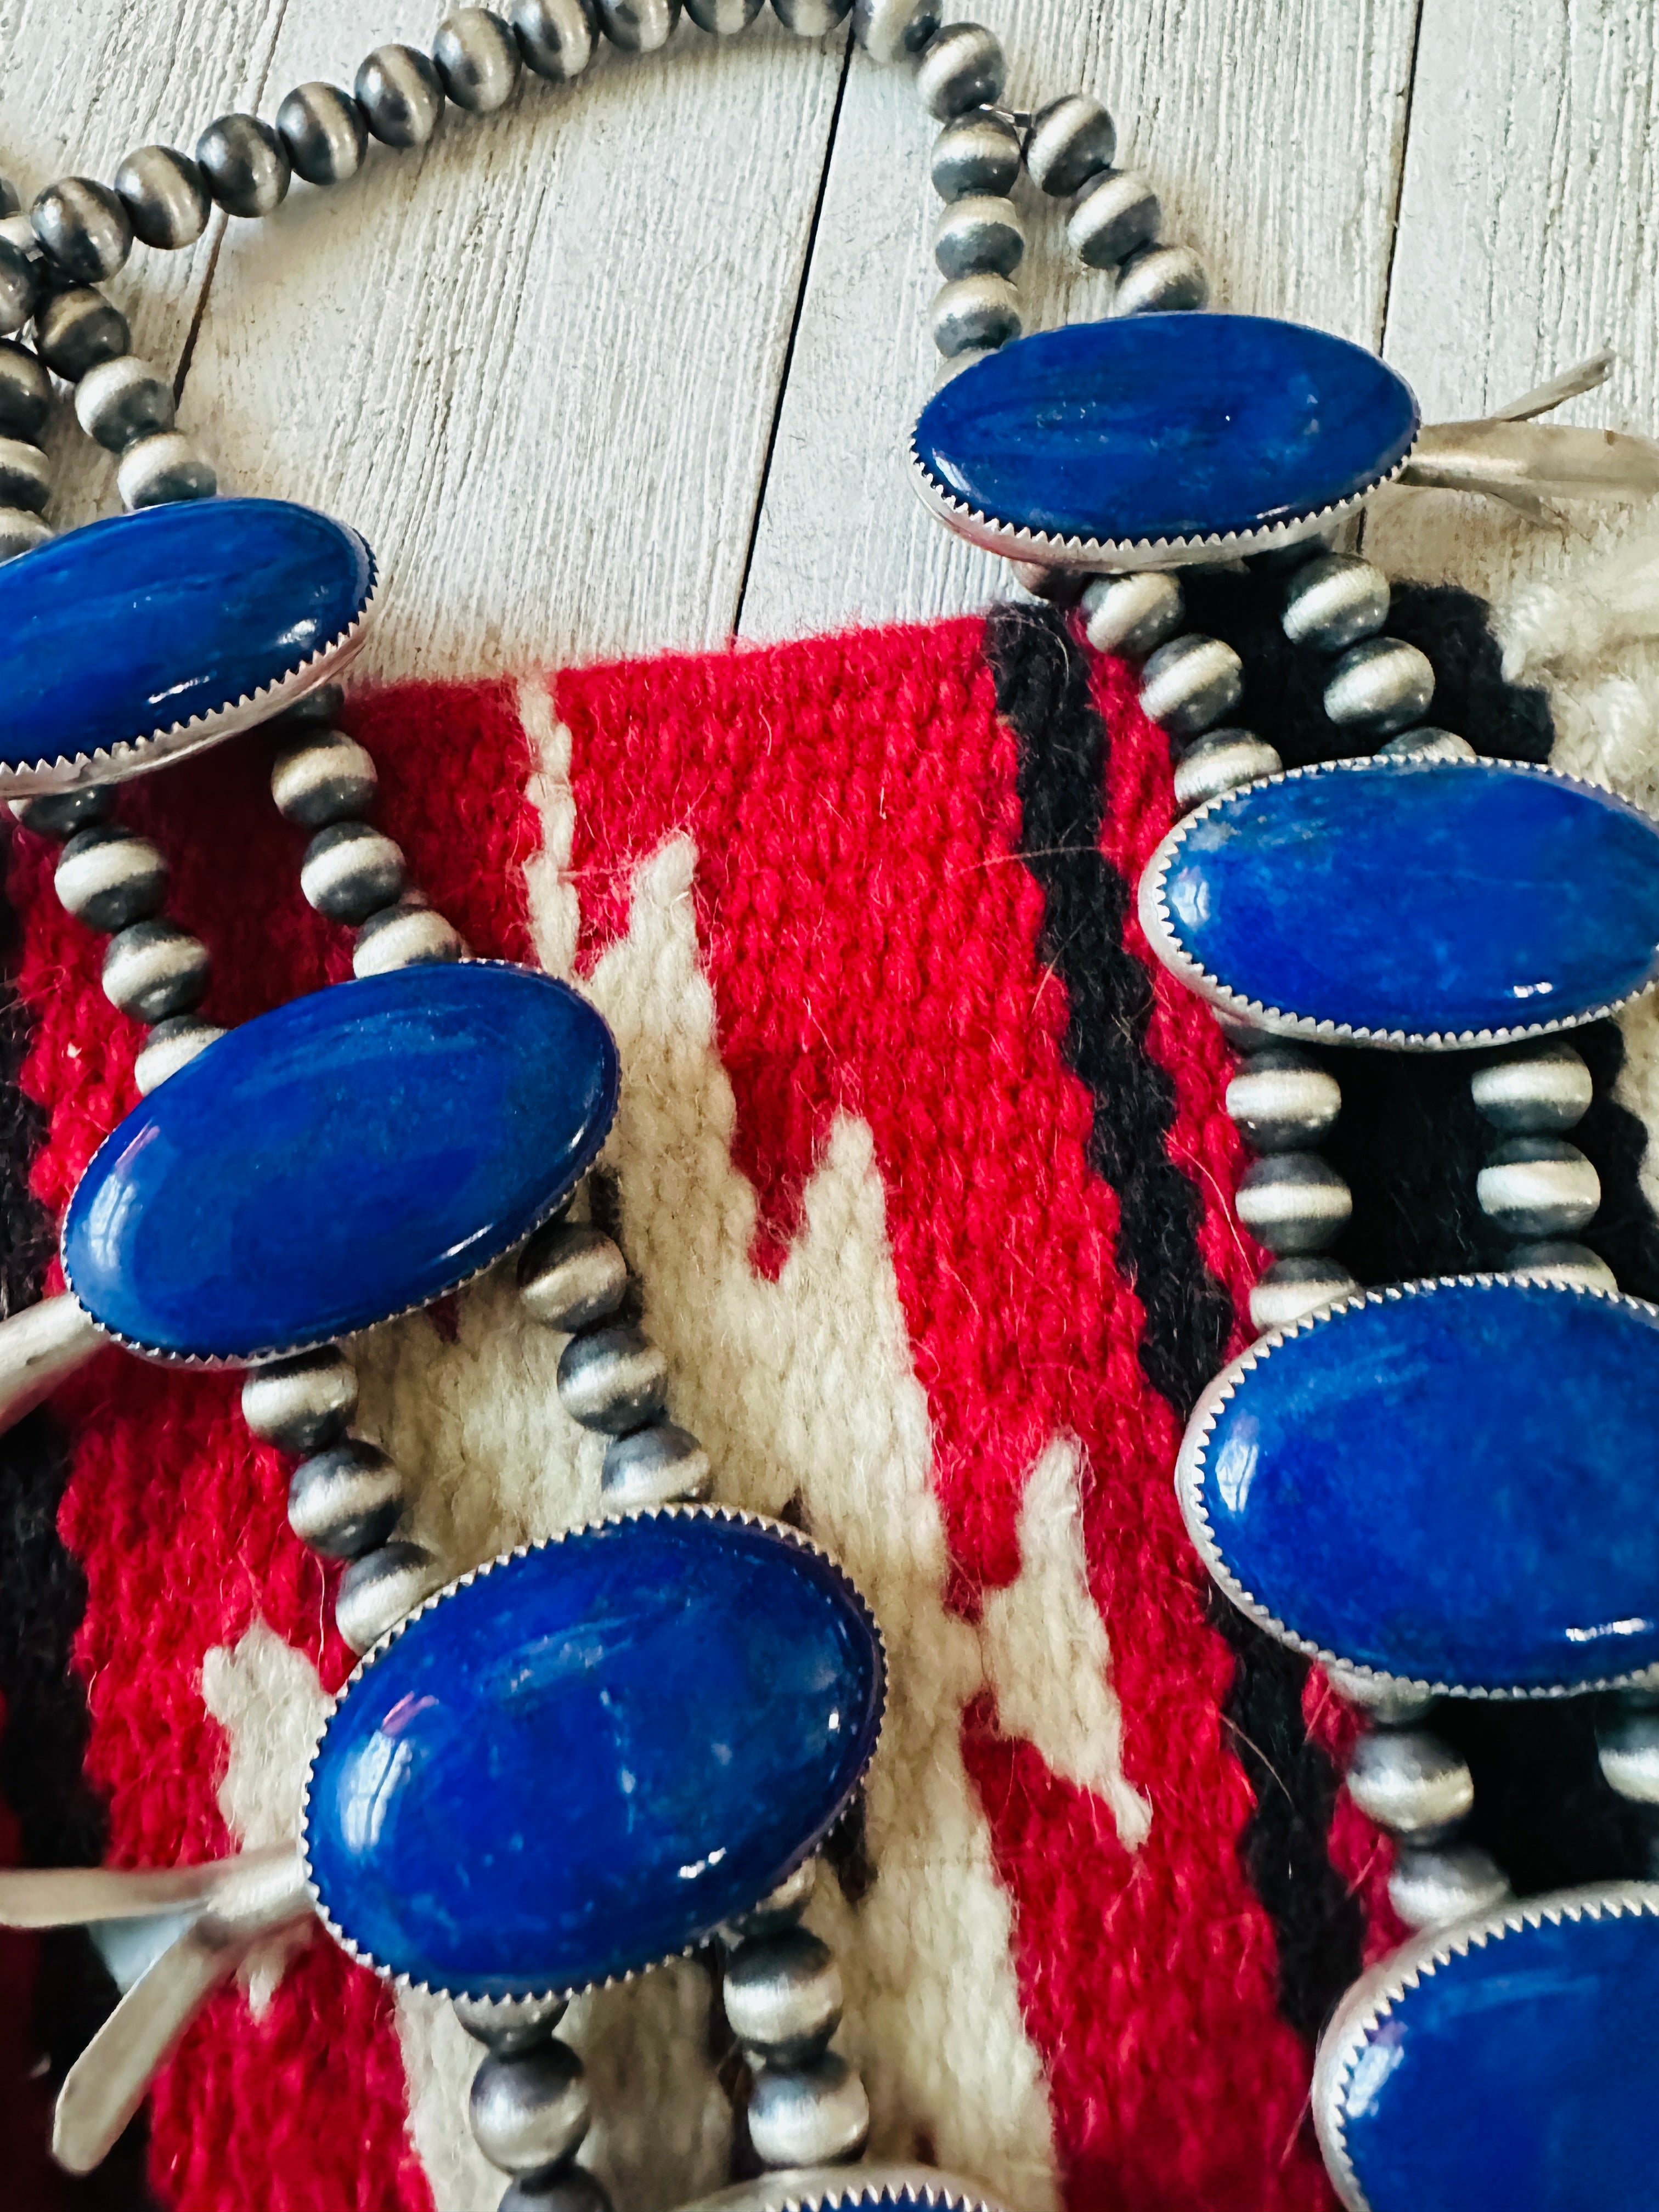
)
(1191, 1470)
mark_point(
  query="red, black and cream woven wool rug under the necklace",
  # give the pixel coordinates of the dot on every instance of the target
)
(926, 1178)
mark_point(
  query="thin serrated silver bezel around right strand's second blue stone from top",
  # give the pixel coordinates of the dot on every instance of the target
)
(1162, 932)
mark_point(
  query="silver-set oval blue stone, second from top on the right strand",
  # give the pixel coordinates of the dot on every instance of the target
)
(1410, 904)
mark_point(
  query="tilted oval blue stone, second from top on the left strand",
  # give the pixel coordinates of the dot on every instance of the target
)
(342, 1160)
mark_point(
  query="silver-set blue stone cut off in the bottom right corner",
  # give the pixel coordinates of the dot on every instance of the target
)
(1505, 2065)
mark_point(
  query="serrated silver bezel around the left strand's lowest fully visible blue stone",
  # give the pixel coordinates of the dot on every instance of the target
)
(479, 1574)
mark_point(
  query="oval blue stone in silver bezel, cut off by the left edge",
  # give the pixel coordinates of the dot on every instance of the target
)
(145, 636)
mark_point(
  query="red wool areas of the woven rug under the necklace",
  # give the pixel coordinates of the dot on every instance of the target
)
(873, 946)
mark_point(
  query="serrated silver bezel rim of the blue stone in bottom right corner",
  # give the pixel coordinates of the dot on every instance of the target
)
(1377, 1994)
